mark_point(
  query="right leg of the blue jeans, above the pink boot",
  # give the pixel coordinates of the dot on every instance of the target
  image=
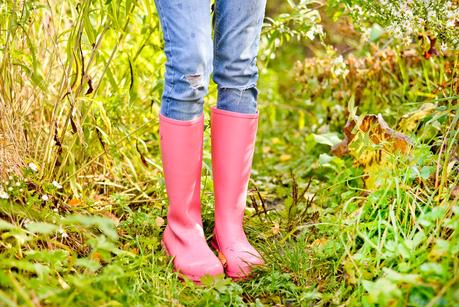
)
(236, 39)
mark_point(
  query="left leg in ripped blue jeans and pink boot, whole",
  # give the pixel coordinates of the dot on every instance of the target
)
(187, 35)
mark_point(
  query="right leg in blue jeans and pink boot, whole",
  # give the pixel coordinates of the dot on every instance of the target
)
(234, 127)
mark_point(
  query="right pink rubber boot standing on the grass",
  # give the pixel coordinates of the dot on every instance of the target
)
(233, 140)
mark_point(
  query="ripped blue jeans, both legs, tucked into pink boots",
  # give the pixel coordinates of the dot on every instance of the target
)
(192, 54)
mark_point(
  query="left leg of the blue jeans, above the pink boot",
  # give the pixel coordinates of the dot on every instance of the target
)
(188, 46)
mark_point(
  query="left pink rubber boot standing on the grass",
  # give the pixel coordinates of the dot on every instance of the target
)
(181, 149)
